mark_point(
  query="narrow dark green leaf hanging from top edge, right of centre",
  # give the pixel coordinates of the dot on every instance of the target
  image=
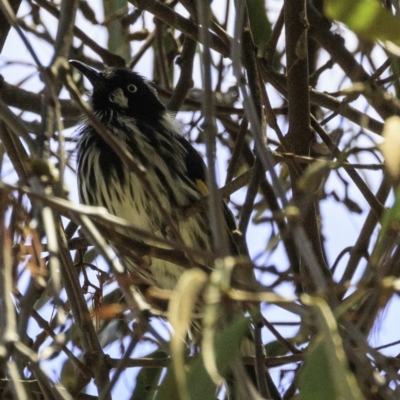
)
(259, 24)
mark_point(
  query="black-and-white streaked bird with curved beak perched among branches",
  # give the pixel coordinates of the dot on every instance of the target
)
(128, 107)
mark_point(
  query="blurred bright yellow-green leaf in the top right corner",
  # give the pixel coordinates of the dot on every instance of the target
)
(366, 18)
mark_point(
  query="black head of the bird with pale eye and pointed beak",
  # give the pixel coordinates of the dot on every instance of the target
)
(123, 91)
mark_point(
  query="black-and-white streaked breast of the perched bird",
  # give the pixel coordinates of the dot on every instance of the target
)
(105, 181)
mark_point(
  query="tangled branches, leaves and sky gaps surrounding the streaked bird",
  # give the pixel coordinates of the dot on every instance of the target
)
(310, 201)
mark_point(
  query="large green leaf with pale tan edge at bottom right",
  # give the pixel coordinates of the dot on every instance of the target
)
(325, 373)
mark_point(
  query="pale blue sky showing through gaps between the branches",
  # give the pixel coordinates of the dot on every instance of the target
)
(340, 228)
